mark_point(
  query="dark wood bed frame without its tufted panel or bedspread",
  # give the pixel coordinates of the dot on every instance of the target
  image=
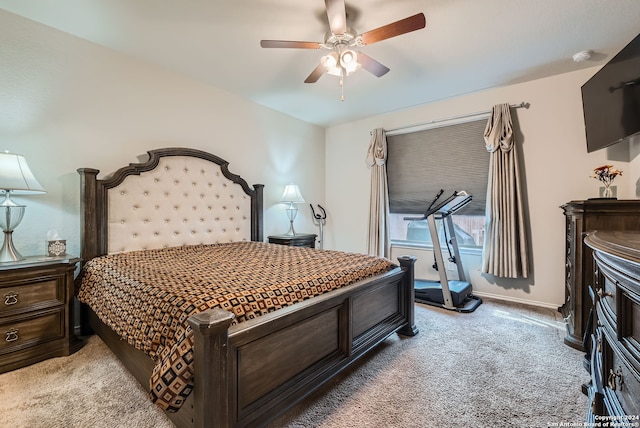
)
(250, 373)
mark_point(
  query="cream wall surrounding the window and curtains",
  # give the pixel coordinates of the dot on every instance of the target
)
(557, 169)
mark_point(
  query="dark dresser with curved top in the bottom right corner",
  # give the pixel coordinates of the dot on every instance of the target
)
(614, 389)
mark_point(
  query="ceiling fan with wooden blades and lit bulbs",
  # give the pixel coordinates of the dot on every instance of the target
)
(343, 60)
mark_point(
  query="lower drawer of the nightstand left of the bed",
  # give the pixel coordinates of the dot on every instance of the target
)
(18, 333)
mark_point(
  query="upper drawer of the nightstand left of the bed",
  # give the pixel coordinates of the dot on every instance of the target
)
(28, 296)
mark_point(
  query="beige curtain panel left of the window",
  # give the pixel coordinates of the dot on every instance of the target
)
(378, 240)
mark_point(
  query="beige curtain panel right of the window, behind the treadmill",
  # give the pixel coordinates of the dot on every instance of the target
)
(505, 251)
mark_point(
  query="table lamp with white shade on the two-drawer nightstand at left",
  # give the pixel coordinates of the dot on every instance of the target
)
(15, 178)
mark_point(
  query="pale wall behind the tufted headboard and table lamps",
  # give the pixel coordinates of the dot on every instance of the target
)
(67, 103)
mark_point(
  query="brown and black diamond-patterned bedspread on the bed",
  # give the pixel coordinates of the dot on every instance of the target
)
(147, 296)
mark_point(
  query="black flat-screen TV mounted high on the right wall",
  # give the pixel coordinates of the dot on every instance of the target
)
(611, 99)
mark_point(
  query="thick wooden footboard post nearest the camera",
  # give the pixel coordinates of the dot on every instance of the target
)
(213, 392)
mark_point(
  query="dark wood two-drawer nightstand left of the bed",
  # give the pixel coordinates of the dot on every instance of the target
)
(36, 310)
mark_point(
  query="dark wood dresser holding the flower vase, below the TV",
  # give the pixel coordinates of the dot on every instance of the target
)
(581, 217)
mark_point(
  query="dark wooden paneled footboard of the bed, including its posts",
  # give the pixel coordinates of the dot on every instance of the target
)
(264, 366)
